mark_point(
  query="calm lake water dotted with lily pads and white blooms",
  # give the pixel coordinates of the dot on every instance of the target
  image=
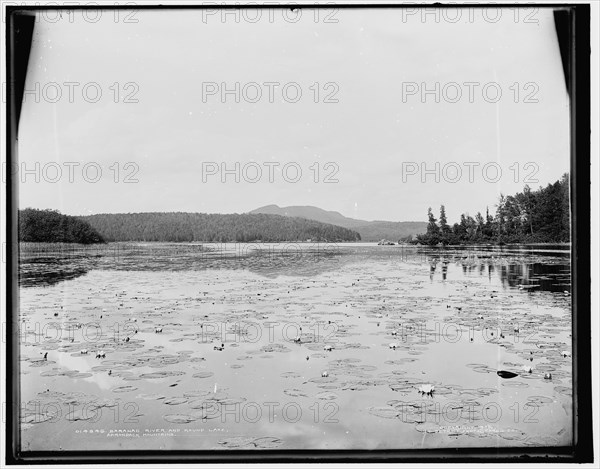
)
(306, 346)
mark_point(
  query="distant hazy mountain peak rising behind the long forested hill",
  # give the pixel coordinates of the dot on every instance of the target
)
(368, 230)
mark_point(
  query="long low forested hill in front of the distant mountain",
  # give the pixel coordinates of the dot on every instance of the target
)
(184, 227)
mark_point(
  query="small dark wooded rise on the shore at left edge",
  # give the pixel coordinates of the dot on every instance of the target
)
(50, 226)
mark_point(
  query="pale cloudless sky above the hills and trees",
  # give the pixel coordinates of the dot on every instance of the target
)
(359, 139)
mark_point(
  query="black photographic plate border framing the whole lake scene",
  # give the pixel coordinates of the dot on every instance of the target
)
(573, 27)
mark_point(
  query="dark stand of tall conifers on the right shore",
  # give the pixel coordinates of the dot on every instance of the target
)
(539, 216)
